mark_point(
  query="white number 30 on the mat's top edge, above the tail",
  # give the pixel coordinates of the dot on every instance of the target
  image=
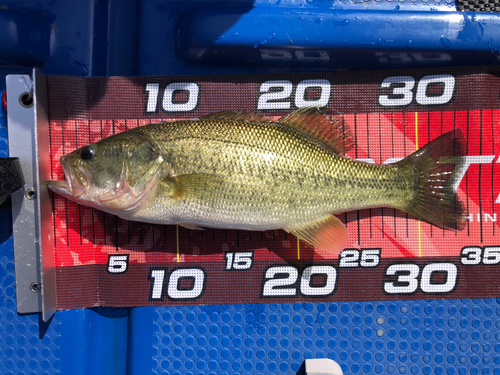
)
(402, 90)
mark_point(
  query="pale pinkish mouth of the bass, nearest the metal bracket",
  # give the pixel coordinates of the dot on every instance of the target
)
(75, 183)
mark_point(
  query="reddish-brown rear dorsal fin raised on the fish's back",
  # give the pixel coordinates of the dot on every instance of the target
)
(329, 129)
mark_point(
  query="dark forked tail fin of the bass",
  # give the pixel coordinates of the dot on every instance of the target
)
(433, 199)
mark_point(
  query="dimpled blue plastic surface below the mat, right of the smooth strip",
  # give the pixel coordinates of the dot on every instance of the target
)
(410, 337)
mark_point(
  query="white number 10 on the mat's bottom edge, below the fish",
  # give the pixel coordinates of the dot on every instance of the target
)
(193, 278)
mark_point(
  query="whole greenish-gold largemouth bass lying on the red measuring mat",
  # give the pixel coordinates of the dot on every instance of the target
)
(243, 171)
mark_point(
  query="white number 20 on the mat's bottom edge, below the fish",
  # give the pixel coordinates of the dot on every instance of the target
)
(315, 281)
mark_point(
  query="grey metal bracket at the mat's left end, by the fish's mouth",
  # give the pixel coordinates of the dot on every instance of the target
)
(28, 128)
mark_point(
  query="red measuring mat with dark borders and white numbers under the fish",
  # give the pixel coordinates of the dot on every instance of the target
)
(103, 260)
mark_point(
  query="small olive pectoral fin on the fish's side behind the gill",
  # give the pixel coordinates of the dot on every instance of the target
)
(194, 186)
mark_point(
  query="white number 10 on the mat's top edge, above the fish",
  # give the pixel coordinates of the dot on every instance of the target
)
(187, 104)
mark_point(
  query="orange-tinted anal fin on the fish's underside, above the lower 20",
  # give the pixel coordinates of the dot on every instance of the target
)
(328, 234)
